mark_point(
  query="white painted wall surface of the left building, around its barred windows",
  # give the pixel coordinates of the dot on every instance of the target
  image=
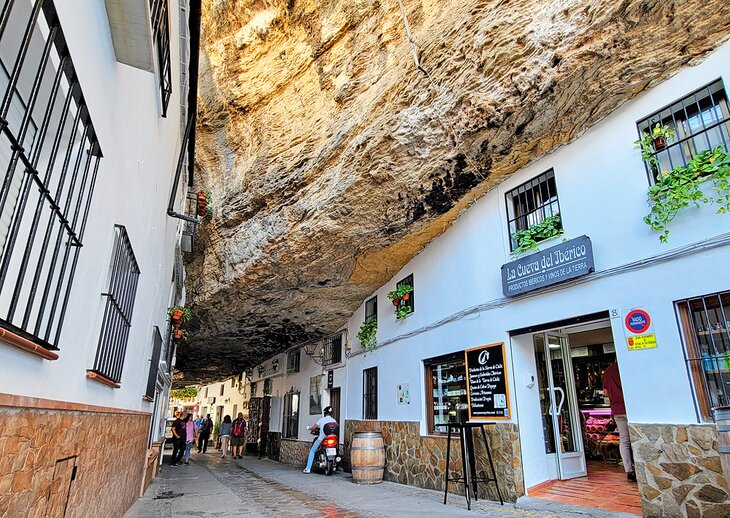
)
(134, 182)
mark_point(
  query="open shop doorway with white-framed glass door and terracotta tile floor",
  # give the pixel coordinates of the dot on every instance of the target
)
(581, 442)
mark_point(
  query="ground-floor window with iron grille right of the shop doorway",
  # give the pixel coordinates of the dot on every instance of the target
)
(705, 324)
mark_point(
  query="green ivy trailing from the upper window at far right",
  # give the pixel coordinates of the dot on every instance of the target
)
(680, 188)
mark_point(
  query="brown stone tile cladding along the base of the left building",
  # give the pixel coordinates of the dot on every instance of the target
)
(110, 451)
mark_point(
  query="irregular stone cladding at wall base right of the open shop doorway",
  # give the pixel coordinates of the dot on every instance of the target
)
(679, 471)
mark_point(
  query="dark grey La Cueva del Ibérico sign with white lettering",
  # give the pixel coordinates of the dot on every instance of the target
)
(556, 264)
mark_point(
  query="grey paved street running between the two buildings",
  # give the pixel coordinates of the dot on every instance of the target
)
(213, 487)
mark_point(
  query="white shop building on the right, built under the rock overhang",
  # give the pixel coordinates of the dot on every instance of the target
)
(660, 310)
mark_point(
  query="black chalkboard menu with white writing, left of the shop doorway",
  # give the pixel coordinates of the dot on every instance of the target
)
(486, 383)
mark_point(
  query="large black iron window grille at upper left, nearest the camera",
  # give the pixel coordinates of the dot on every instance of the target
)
(49, 159)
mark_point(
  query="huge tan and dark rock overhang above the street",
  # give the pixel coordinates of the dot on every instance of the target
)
(332, 159)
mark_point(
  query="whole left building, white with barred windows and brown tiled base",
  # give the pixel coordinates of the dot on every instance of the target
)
(93, 120)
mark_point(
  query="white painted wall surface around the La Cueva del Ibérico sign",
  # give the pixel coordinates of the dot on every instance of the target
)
(602, 184)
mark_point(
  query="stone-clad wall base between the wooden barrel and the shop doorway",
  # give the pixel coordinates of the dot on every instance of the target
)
(421, 461)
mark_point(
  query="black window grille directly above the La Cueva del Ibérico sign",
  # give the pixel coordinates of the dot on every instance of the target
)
(531, 203)
